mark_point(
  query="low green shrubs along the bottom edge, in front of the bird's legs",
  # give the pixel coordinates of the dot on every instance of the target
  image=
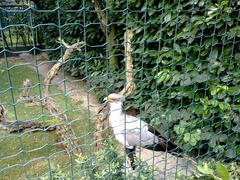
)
(104, 164)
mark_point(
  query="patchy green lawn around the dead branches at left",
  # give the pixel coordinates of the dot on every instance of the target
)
(32, 154)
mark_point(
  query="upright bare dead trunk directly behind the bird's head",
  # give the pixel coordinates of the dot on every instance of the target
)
(130, 86)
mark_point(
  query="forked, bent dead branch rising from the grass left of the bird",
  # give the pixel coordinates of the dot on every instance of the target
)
(64, 130)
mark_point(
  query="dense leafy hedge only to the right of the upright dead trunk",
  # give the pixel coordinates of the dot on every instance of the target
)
(190, 75)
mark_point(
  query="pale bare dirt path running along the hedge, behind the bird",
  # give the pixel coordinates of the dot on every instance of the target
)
(166, 165)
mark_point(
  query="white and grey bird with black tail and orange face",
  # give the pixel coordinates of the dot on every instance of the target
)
(131, 132)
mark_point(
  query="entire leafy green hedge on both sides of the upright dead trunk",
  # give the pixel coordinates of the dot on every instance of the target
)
(186, 66)
